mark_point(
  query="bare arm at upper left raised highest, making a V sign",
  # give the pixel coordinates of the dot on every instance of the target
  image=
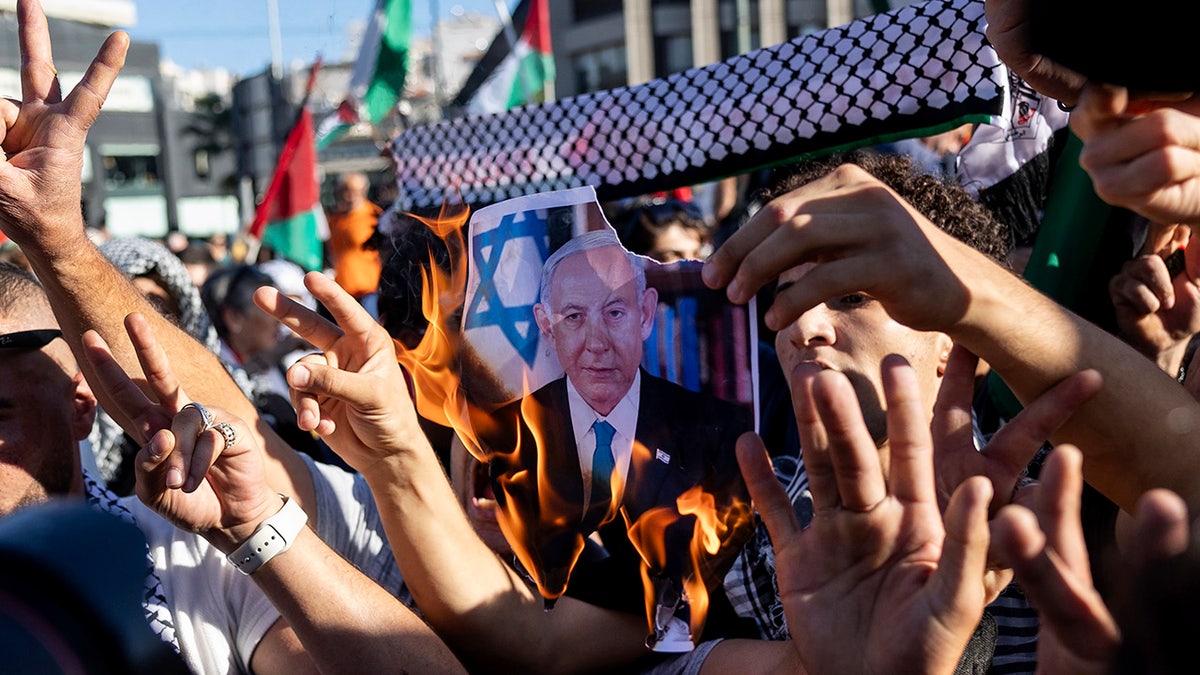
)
(44, 140)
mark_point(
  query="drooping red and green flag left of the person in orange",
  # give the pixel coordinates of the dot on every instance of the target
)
(290, 219)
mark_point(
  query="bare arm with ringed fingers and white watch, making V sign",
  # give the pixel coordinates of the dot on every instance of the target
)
(201, 482)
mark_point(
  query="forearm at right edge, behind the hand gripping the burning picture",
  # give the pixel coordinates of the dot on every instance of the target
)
(1136, 434)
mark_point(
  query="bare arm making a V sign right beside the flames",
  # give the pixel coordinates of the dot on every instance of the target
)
(357, 398)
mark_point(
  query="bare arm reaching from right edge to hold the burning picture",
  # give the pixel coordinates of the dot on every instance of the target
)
(1137, 432)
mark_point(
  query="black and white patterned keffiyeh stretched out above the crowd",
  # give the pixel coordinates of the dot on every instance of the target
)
(914, 71)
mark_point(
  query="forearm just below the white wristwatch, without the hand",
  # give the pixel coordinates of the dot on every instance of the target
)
(347, 623)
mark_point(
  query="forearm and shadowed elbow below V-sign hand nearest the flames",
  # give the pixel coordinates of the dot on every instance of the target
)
(485, 612)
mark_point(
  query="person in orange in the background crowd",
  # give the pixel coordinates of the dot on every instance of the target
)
(351, 225)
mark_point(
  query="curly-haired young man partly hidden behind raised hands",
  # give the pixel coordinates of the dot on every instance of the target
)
(851, 334)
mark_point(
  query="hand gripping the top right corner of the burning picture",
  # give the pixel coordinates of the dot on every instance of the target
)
(863, 240)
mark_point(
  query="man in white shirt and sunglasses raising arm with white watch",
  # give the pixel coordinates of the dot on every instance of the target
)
(195, 599)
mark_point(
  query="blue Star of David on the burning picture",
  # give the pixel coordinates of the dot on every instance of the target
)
(488, 308)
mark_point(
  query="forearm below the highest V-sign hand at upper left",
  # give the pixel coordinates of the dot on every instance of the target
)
(87, 292)
